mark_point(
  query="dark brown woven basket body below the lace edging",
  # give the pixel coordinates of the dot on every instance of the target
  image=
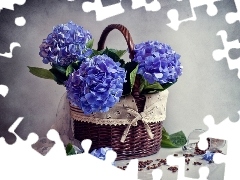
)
(136, 145)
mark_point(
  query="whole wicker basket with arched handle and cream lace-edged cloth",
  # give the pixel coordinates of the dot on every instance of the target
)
(137, 142)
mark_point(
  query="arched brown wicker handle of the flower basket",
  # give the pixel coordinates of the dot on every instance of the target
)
(128, 38)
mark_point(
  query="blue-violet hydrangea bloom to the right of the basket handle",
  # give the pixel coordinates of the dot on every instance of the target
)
(157, 62)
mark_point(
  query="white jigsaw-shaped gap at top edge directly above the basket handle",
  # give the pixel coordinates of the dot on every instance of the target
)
(102, 12)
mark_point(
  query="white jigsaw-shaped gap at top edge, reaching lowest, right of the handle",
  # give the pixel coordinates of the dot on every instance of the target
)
(173, 14)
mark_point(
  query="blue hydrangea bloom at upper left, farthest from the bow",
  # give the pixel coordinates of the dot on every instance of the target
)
(66, 44)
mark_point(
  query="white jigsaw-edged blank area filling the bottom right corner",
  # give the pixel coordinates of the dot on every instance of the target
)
(228, 131)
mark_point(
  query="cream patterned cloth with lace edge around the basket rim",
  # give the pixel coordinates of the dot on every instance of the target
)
(124, 112)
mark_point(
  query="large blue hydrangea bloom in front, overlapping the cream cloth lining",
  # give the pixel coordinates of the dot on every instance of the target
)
(97, 85)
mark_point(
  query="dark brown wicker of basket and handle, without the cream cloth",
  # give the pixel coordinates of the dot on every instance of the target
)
(137, 142)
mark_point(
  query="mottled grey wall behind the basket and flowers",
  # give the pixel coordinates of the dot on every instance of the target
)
(206, 86)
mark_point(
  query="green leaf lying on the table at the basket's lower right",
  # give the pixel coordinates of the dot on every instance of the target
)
(175, 140)
